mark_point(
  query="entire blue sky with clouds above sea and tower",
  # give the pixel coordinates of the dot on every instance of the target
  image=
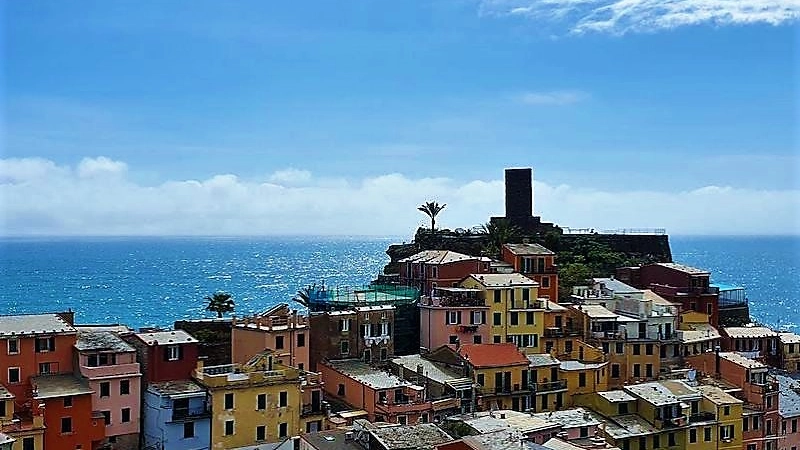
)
(252, 118)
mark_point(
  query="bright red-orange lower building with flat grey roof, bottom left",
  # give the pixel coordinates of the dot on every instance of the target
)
(68, 415)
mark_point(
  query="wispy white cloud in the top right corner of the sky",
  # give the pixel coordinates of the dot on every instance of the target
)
(624, 16)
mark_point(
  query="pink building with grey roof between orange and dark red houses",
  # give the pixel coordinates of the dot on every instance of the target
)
(109, 363)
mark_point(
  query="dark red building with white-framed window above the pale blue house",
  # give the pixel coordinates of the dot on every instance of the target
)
(165, 355)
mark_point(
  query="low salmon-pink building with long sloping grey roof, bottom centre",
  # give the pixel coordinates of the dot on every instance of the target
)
(385, 397)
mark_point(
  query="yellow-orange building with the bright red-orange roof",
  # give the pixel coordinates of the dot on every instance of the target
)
(501, 374)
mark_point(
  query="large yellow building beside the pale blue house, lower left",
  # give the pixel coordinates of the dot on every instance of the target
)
(252, 403)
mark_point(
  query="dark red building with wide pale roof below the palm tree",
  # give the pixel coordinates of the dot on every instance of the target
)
(439, 268)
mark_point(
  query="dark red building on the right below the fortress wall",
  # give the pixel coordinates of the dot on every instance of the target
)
(677, 283)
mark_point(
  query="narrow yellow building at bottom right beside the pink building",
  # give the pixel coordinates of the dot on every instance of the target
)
(727, 409)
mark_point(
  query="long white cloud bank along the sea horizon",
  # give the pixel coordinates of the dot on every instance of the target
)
(98, 196)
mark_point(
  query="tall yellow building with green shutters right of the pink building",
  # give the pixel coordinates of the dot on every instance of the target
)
(516, 314)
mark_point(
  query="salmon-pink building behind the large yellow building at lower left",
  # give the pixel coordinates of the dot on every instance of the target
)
(279, 329)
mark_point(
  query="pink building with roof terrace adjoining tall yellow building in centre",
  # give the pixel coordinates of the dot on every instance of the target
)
(452, 315)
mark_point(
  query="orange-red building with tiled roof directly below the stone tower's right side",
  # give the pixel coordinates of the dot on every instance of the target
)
(537, 263)
